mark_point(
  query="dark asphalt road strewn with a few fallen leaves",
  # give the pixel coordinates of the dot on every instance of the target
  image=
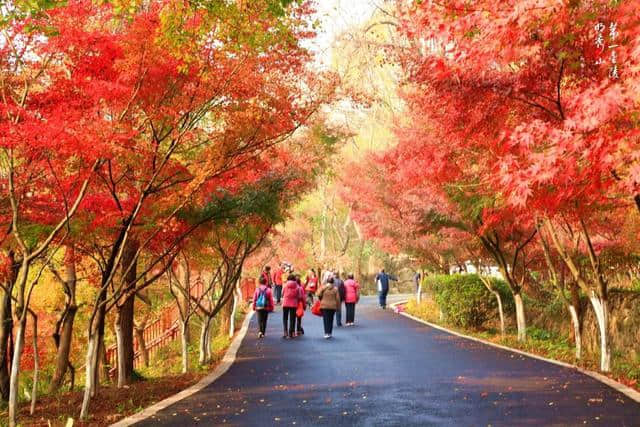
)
(391, 371)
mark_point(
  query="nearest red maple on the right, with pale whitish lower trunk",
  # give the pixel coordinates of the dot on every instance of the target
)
(554, 107)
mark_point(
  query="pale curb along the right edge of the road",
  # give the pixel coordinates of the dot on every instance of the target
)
(627, 391)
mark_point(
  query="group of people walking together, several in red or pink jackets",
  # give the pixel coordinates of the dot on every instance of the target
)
(295, 297)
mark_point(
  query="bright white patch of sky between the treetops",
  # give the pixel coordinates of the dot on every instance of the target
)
(336, 16)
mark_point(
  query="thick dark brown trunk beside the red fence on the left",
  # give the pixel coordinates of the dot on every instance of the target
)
(124, 315)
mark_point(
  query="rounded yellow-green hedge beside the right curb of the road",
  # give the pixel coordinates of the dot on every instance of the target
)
(465, 301)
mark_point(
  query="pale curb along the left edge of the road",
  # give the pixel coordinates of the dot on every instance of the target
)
(221, 369)
